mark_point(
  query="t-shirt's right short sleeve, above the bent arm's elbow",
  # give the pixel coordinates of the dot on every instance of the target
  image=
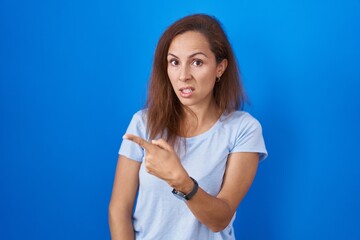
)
(249, 137)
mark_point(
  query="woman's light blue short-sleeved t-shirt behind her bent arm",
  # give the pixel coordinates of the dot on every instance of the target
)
(160, 215)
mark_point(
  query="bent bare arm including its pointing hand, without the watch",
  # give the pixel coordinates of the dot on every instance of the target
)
(214, 212)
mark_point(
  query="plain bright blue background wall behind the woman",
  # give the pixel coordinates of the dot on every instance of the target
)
(72, 73)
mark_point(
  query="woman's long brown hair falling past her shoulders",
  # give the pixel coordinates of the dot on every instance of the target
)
(165, 111)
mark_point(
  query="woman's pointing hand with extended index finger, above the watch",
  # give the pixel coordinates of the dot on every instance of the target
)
(161, 160)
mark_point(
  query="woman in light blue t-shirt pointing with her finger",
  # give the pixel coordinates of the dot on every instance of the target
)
(190, 142)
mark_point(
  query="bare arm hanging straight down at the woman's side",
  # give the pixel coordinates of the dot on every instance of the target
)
(122, 200)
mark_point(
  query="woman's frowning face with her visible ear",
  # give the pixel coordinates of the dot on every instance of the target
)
(192, 69)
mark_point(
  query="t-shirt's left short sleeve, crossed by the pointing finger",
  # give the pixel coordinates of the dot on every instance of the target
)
(136, 127)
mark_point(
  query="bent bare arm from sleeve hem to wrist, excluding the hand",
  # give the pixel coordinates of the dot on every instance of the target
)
(217, 212)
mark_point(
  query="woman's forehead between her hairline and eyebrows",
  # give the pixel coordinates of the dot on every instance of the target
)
(188, 42)
